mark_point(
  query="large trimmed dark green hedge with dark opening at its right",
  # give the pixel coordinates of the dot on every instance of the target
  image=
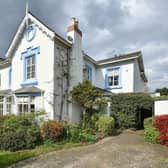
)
(126, 108)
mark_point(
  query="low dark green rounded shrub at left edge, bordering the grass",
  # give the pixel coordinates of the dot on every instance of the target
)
(13, 141)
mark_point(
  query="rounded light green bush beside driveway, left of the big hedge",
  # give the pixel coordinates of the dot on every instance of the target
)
(105, 125)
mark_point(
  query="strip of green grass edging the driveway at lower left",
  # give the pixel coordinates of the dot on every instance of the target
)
(9, 158)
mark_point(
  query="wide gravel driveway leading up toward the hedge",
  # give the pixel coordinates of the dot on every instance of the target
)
(127, 150)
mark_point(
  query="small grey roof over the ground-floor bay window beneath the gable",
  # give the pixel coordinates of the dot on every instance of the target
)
(31, 89)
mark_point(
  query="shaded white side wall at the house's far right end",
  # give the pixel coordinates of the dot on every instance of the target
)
(139, 84)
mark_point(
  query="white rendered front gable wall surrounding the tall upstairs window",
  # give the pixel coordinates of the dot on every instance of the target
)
(44, 67)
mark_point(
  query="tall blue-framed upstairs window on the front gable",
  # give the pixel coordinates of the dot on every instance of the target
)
(30, 66)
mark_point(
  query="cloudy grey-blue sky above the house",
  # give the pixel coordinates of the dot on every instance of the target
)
(109, 27)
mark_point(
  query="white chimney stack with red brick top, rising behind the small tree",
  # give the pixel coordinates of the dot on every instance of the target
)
(74, 35)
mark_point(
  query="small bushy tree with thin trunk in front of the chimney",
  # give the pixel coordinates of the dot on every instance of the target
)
(89, 98)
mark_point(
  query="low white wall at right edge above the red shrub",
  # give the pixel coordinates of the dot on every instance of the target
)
(161, 107)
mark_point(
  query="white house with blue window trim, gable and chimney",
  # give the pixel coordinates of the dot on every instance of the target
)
(40, 69)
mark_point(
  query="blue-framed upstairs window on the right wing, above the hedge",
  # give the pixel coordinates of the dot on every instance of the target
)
(113, 78)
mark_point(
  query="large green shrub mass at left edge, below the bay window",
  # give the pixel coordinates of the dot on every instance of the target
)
(26, 130)
